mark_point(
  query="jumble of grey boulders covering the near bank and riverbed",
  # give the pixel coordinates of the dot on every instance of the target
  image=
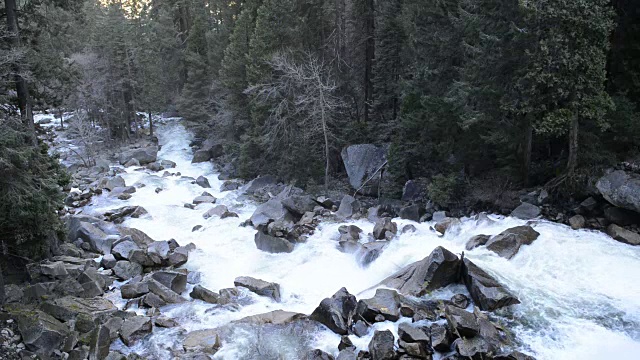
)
(111, 287)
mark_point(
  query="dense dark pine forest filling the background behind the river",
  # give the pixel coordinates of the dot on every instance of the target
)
(463, 91)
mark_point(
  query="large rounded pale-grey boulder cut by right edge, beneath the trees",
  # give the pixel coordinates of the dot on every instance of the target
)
(622, 189)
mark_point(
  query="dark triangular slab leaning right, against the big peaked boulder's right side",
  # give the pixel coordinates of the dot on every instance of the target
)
(485, 291)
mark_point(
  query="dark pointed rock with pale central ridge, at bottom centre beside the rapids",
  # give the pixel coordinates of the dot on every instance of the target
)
(336, 312)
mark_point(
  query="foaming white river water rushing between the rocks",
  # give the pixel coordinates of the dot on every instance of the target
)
(580, 290)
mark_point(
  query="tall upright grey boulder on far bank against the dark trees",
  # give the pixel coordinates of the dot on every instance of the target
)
(362, 162)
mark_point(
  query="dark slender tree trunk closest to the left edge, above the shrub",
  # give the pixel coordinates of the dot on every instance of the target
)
(22, 89)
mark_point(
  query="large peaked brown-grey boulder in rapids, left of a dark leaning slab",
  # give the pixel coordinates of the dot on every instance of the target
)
(440, 269)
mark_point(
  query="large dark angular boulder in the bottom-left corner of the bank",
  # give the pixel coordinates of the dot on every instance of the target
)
(41, 333)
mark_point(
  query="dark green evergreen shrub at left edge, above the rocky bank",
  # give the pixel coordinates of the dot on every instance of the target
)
(30, 193)
